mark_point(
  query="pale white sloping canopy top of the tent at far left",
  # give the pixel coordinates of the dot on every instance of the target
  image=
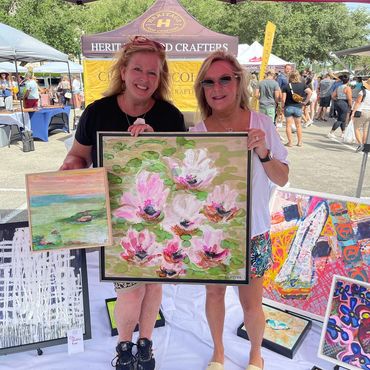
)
(16, 45)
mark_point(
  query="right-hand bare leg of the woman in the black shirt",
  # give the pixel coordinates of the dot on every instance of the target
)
(149, 309)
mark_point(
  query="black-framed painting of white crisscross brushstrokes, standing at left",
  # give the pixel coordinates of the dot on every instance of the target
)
(42, 295)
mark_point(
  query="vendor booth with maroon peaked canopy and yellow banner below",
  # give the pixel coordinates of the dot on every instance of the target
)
(187, 43)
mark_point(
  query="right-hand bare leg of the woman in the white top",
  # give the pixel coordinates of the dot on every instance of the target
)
(250, 297)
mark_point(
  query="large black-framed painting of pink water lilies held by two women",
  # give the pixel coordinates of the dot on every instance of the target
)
(180, 207)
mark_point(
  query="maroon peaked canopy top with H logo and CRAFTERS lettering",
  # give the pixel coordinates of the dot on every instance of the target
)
(168, 22)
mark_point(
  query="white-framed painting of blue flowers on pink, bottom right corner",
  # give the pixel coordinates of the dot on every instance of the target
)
(345, 339)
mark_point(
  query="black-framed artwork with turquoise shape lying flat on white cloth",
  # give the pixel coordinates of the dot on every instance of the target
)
(284, 331)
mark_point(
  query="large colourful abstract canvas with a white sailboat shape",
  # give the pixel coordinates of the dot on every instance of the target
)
(315, 236)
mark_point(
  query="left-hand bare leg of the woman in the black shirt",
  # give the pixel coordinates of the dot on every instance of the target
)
(127, 311)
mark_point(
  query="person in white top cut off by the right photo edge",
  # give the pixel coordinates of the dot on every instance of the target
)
(361, 123)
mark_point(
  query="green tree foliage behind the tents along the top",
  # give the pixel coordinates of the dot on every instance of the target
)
(305, 32)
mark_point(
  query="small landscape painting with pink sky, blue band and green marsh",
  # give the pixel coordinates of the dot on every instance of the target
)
(69, 209)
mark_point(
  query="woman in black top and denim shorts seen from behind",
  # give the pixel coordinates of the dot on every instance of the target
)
(293, 109)
